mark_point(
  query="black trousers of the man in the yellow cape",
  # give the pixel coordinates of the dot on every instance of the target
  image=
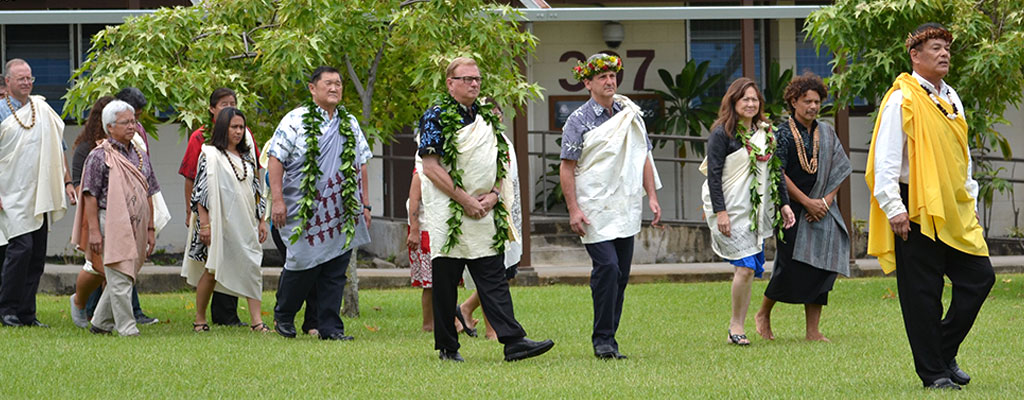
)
(921, 266)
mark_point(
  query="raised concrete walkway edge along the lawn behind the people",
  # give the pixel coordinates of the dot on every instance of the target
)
(61, 279)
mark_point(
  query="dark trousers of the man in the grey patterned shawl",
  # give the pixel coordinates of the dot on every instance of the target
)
(329, 281)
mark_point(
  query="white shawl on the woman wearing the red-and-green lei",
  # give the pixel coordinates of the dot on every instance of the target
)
(737, 181)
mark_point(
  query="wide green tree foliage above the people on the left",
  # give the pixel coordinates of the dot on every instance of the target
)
(393, 55)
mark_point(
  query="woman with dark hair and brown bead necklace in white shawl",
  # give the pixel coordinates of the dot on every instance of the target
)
(225, 252)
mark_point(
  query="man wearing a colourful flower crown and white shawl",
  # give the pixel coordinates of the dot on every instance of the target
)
(607, 168)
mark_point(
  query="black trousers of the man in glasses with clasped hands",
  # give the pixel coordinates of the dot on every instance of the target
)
(489, 274)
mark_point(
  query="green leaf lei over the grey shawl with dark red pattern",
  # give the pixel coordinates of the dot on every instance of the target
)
(312, 122)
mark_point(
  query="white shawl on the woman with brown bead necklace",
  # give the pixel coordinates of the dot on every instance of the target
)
(235, 253)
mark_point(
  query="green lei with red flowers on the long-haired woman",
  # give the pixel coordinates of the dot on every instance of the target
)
(775, 173)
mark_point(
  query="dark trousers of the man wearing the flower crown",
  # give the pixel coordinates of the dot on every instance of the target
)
(612, 261)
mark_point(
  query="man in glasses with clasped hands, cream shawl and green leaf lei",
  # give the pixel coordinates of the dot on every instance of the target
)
(463, 162)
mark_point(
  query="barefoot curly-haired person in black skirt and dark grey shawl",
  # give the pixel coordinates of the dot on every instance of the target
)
(818, 247)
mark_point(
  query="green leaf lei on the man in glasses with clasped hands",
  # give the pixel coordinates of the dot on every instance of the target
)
(451, 123)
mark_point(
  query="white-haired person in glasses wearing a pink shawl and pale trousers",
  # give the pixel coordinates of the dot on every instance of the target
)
(117, 186)
